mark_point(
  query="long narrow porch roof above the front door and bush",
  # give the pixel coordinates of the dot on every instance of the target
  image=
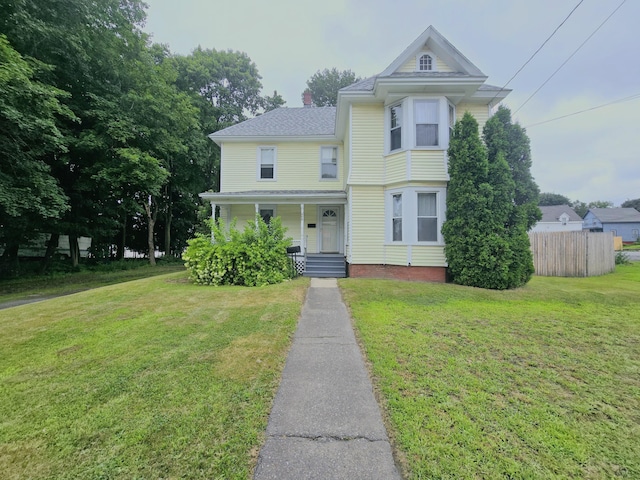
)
(277, 197)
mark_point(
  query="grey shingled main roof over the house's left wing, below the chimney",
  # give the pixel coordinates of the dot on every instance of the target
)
(284, 122)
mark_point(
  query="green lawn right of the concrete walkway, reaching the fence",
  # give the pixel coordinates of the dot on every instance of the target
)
(540, 382)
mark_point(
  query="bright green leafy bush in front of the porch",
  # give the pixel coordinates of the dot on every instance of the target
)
(255, 257)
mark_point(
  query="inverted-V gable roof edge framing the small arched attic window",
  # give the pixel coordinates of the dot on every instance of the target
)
(434, 41)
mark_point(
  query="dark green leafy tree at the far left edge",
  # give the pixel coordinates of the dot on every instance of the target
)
(29, 134)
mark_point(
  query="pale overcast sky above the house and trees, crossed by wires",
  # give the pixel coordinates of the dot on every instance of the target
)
(590, 156)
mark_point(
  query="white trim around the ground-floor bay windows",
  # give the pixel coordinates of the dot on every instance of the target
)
(410, 215)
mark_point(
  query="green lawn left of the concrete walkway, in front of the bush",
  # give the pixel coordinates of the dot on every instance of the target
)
(155, 378)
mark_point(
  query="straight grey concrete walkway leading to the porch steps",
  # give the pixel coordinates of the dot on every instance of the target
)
(325, 422)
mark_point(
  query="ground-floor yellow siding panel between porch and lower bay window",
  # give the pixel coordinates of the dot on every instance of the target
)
(367, 225)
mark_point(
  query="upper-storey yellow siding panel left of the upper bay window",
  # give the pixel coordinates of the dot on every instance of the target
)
(367, 146)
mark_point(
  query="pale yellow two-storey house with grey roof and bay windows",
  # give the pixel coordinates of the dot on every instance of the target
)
(365, 180)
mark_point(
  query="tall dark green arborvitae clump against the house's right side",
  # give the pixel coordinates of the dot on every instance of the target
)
(486, 242)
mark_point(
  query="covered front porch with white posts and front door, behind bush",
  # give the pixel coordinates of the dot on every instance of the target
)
(315, 219)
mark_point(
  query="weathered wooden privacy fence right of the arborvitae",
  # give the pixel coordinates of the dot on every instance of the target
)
(572, 254)
